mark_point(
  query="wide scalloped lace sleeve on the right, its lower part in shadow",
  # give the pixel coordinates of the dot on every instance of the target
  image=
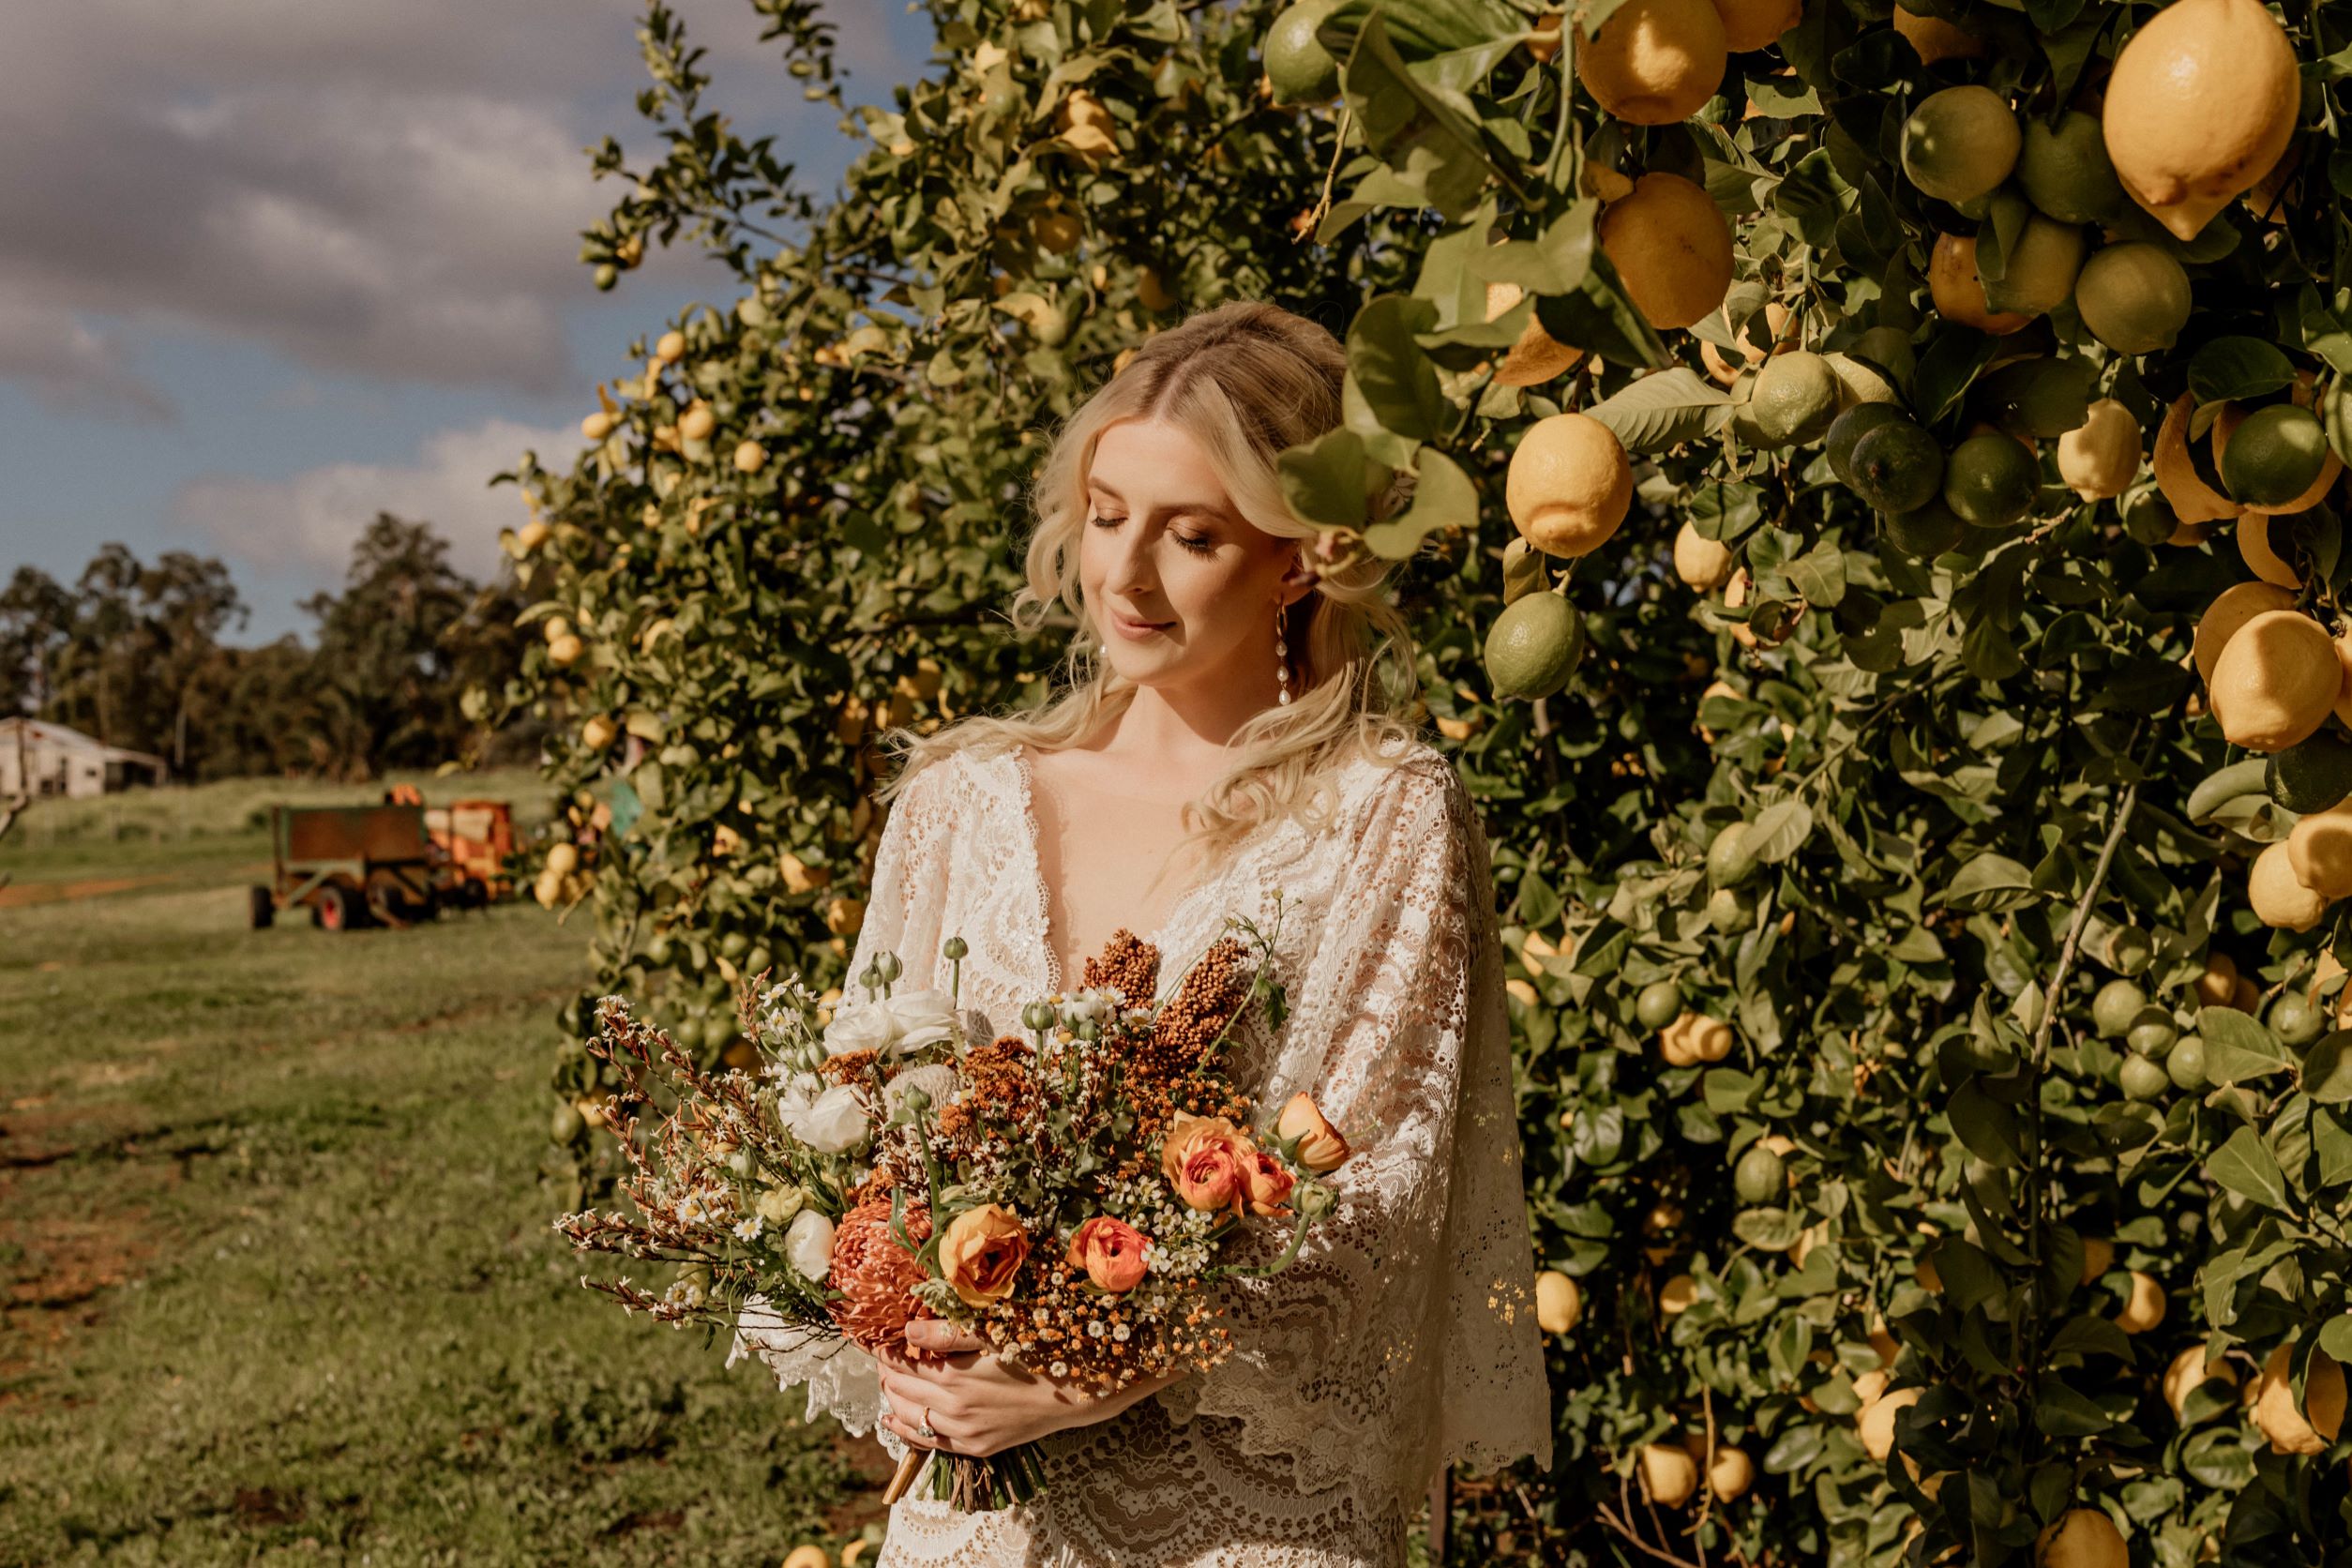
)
(1403, 1336)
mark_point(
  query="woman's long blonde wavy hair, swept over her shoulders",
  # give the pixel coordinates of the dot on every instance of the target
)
(1245, 382)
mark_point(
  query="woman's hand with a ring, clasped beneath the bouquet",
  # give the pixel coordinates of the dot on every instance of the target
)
(982, 1405)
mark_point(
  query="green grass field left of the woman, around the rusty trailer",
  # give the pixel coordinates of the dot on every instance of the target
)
(276, 1254)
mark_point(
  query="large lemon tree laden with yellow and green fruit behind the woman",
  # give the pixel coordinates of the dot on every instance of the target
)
(1876, 556)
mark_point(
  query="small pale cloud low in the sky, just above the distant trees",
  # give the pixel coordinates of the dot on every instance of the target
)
(305, 525)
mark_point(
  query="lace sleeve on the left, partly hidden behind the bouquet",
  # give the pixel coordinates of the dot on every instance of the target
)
(902, 916)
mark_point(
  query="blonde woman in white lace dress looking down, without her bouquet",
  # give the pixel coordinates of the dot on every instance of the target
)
(1227, 739)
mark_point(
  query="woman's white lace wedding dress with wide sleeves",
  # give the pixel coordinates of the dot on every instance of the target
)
(1405, 1334)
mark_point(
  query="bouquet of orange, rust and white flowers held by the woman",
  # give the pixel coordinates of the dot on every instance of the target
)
(1071, 1193)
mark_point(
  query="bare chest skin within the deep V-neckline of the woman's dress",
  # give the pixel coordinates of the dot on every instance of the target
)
(1104, 852)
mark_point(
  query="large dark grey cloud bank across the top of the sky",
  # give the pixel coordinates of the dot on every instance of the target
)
(389, 192)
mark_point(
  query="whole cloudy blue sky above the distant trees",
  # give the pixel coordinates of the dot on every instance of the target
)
(281, 264)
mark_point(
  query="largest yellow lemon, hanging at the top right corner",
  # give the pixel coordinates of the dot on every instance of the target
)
(2200, 105)
